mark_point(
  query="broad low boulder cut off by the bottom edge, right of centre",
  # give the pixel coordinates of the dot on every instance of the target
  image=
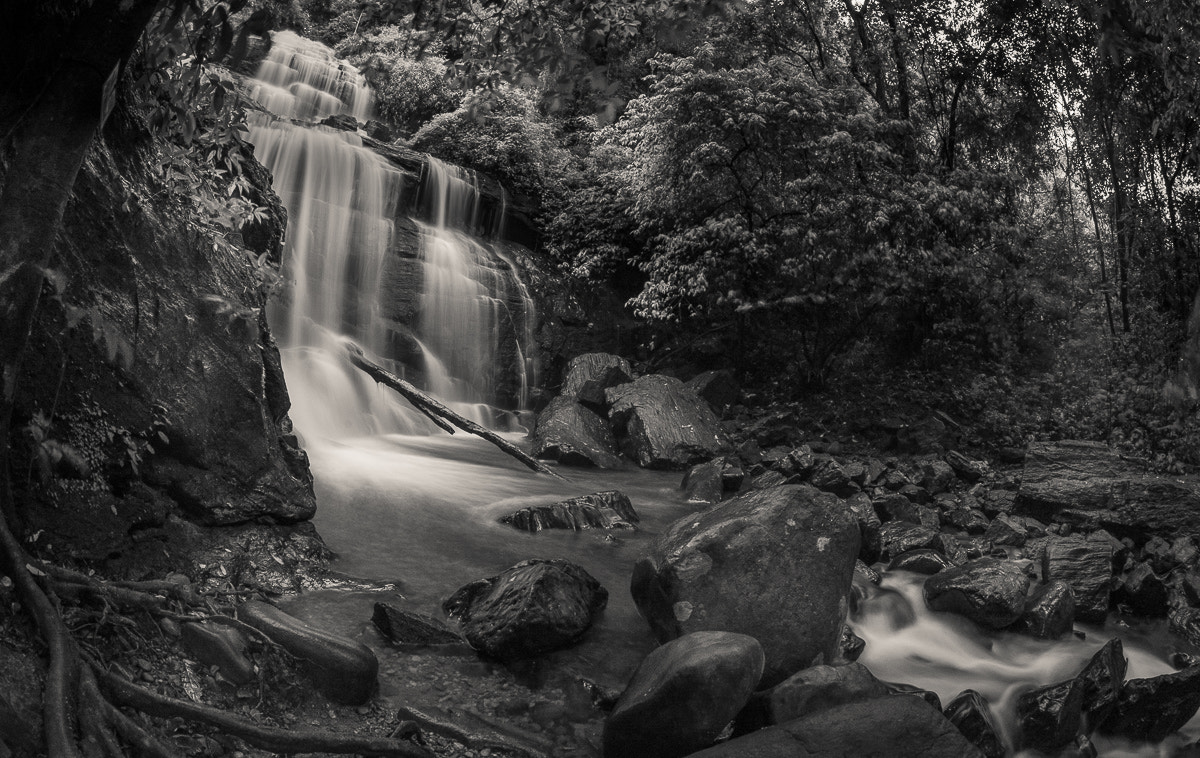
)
(902, 726)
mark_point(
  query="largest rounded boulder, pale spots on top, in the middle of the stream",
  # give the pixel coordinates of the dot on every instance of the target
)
(776, 564)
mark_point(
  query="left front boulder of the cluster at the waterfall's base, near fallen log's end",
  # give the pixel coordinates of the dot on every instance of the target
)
(574, 436)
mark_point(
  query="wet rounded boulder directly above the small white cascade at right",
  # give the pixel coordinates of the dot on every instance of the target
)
(988, 592)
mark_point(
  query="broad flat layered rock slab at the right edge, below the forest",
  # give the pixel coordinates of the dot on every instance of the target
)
(1088, 484)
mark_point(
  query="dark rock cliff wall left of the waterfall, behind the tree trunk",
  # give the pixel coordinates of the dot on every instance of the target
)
(153, 405)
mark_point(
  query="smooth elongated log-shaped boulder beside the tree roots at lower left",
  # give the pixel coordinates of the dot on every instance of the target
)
(344, 670)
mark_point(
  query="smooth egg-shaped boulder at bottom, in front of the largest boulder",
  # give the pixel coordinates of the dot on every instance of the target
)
(683, 695)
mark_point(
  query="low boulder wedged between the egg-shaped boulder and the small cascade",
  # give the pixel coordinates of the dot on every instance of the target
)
(809, 691)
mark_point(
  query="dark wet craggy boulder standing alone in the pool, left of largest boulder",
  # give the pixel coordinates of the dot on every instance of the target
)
(535, 607)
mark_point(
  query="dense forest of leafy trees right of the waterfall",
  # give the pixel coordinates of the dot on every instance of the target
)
(832, 194)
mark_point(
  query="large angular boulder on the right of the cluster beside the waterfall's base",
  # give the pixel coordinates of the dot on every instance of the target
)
(663, 425)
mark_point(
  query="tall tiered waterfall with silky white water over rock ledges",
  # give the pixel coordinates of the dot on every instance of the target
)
(344, 202)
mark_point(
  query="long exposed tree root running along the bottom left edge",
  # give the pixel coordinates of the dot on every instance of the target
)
(266, 738)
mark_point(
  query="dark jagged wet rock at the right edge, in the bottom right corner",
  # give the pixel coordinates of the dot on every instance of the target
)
(1148, 711)
